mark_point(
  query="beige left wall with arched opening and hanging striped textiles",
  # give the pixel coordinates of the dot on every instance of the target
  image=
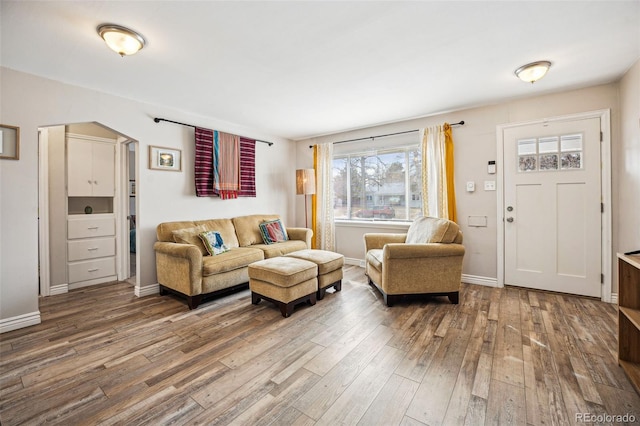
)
(31, 102)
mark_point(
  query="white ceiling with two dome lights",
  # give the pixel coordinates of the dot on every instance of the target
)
(299, 69)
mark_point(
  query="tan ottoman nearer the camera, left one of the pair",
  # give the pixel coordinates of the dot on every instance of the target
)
(285, 281)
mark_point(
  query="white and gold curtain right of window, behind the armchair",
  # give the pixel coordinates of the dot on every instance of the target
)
(438, 192)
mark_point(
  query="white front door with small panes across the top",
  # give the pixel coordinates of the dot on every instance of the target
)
(552, 206)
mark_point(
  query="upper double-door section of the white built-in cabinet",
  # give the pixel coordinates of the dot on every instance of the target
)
(90, 168)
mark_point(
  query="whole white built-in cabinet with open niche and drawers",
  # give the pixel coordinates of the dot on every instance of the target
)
(91, 222)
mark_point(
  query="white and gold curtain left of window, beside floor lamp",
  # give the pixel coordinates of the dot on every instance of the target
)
(322, 201)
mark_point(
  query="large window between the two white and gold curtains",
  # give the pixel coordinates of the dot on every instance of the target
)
(378, 185)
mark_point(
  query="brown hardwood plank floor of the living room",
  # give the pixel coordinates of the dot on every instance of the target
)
(502, 356)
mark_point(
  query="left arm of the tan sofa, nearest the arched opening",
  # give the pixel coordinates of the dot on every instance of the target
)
(179, 267)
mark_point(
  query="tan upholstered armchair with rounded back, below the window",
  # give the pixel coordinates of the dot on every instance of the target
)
(425, 260)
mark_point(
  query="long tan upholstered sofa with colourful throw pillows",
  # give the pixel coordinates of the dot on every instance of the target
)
(185, 268)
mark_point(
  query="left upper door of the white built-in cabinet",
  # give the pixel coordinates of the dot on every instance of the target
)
(79, 177)
